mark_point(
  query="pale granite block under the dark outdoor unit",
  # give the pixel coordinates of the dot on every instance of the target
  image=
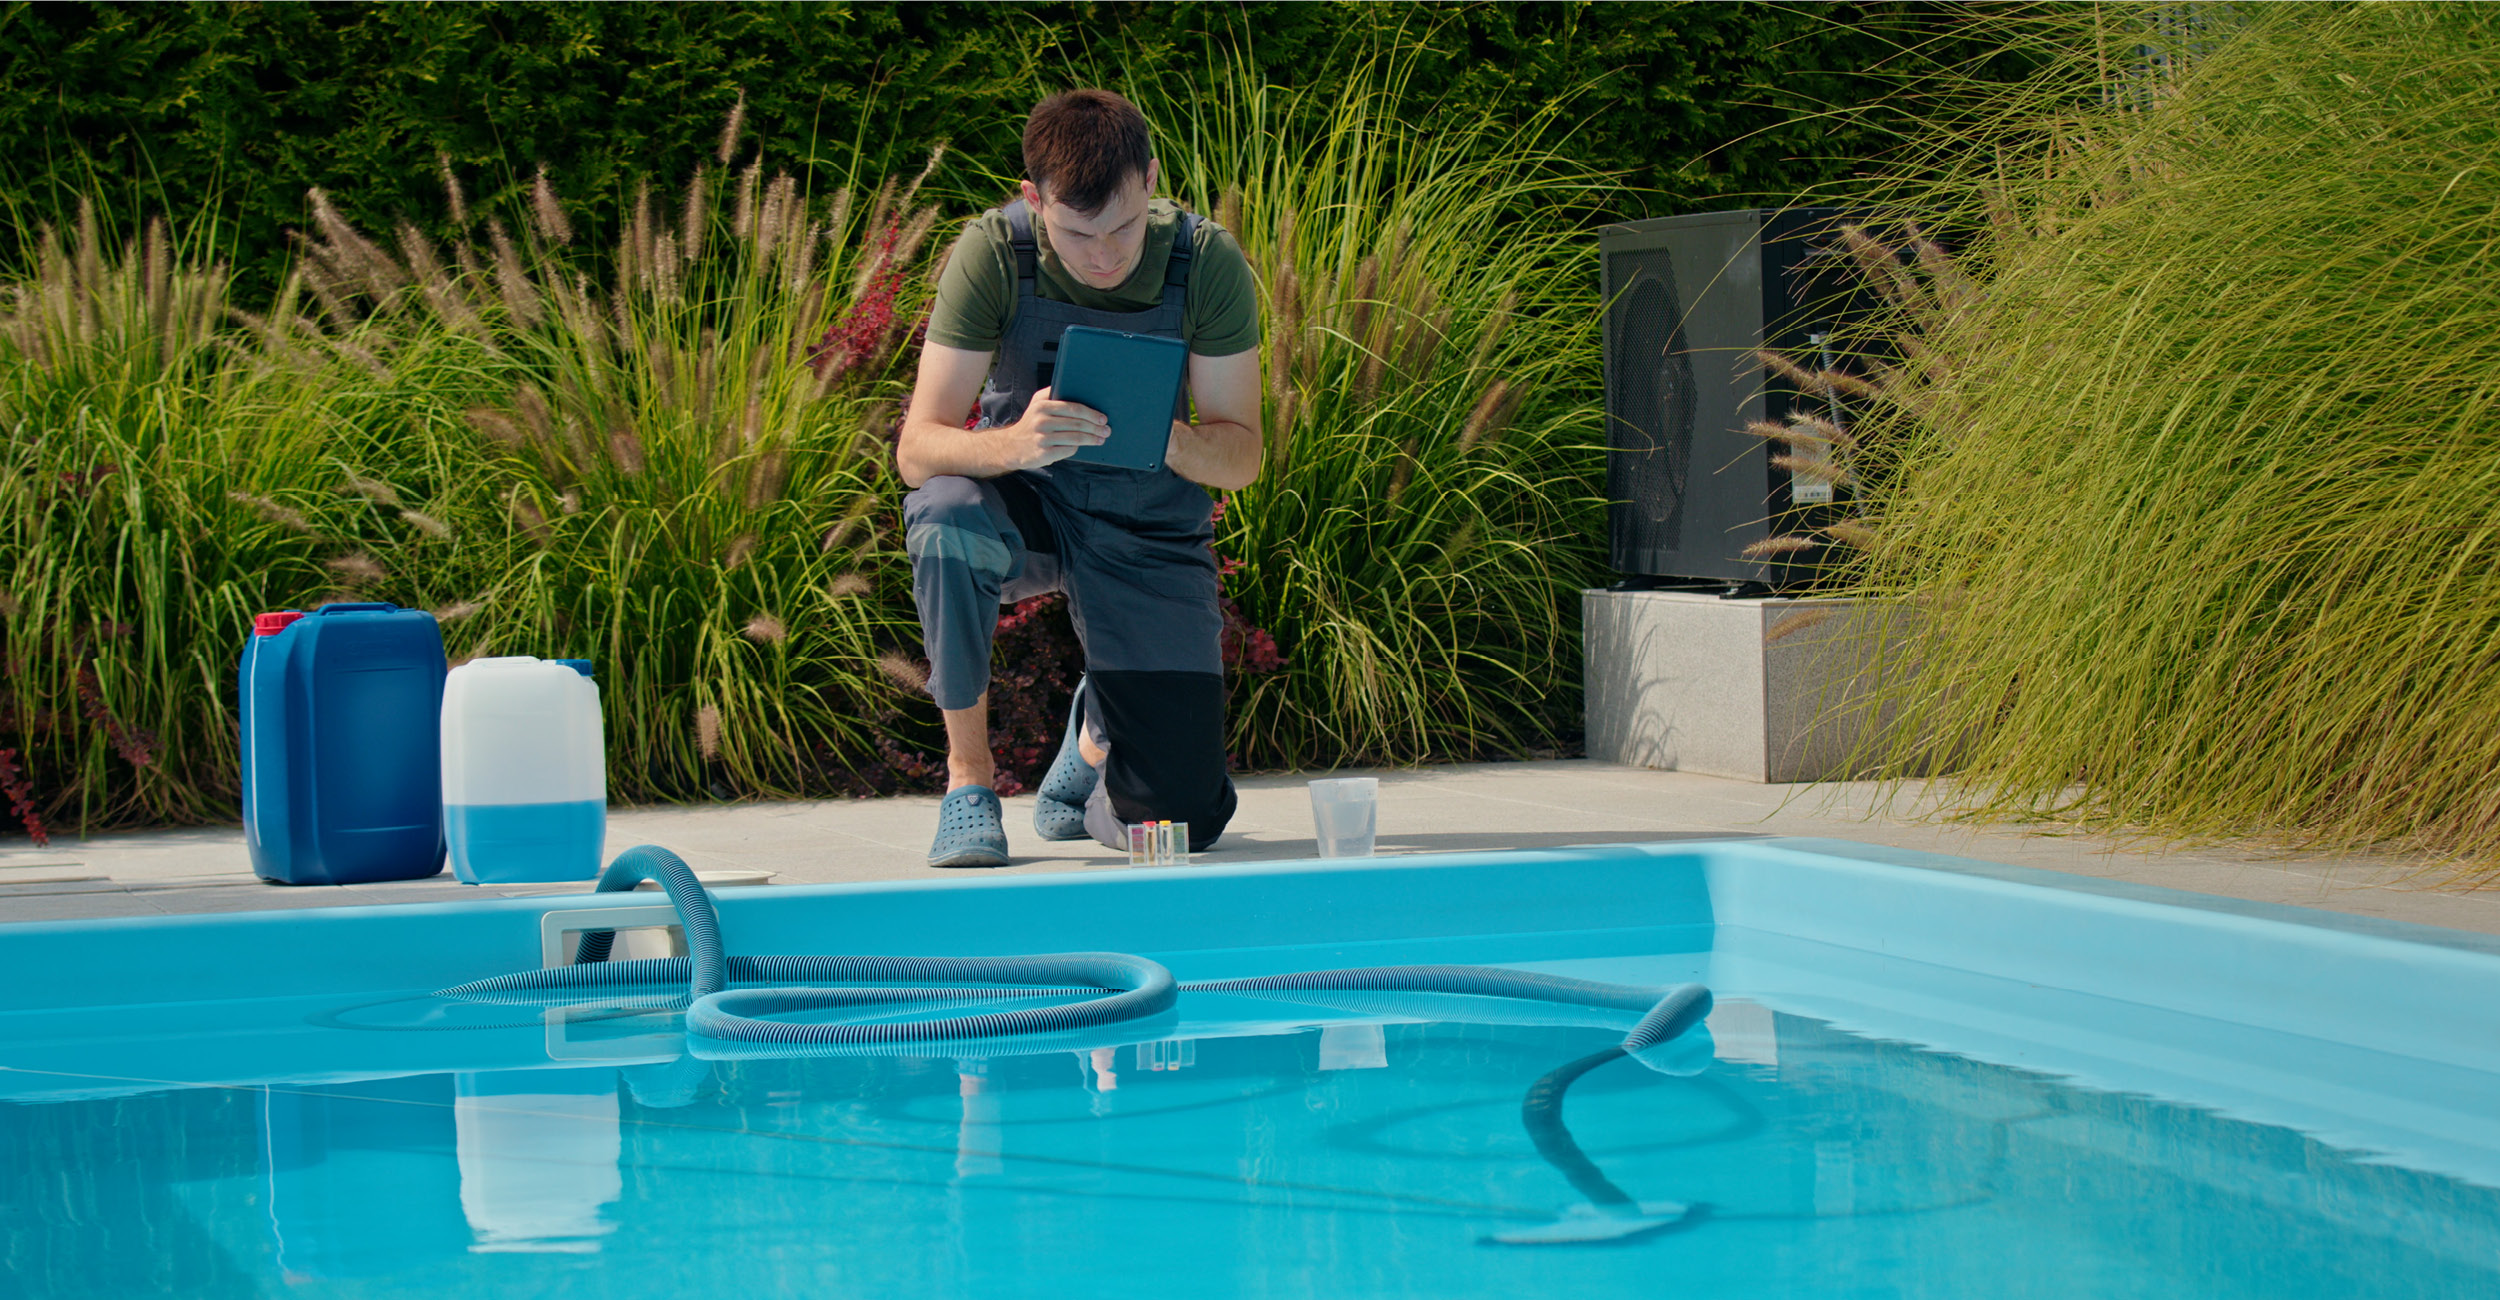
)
(1686, 684)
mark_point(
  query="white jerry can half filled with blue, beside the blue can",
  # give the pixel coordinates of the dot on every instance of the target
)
(524, 771)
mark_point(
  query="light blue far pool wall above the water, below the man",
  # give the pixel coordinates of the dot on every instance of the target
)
(1209, 921)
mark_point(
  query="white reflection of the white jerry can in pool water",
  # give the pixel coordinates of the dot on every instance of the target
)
(539, 1159)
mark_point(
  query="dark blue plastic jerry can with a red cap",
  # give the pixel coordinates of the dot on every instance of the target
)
(344, 746)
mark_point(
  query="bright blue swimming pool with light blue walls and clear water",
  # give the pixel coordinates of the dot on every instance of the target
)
(1924, 1076)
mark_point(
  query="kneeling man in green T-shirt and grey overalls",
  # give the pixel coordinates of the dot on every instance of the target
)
(999, 514)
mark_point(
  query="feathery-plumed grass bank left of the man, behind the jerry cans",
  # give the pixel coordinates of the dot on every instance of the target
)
(676, 471)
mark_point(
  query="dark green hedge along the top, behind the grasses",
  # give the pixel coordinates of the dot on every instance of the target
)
(241, 109)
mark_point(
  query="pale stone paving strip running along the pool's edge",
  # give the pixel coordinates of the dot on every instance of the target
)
(1479, 806)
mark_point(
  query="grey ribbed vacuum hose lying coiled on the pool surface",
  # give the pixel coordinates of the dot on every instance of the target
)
(1121, 986)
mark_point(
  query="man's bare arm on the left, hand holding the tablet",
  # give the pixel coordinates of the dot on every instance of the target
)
(936, 444)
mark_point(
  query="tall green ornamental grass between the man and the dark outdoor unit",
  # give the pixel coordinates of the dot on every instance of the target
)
(1434, 494)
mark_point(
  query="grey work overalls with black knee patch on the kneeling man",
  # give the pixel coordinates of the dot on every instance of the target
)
(1131, 549)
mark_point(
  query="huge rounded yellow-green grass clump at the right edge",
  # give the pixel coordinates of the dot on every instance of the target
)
(2196, 496)
